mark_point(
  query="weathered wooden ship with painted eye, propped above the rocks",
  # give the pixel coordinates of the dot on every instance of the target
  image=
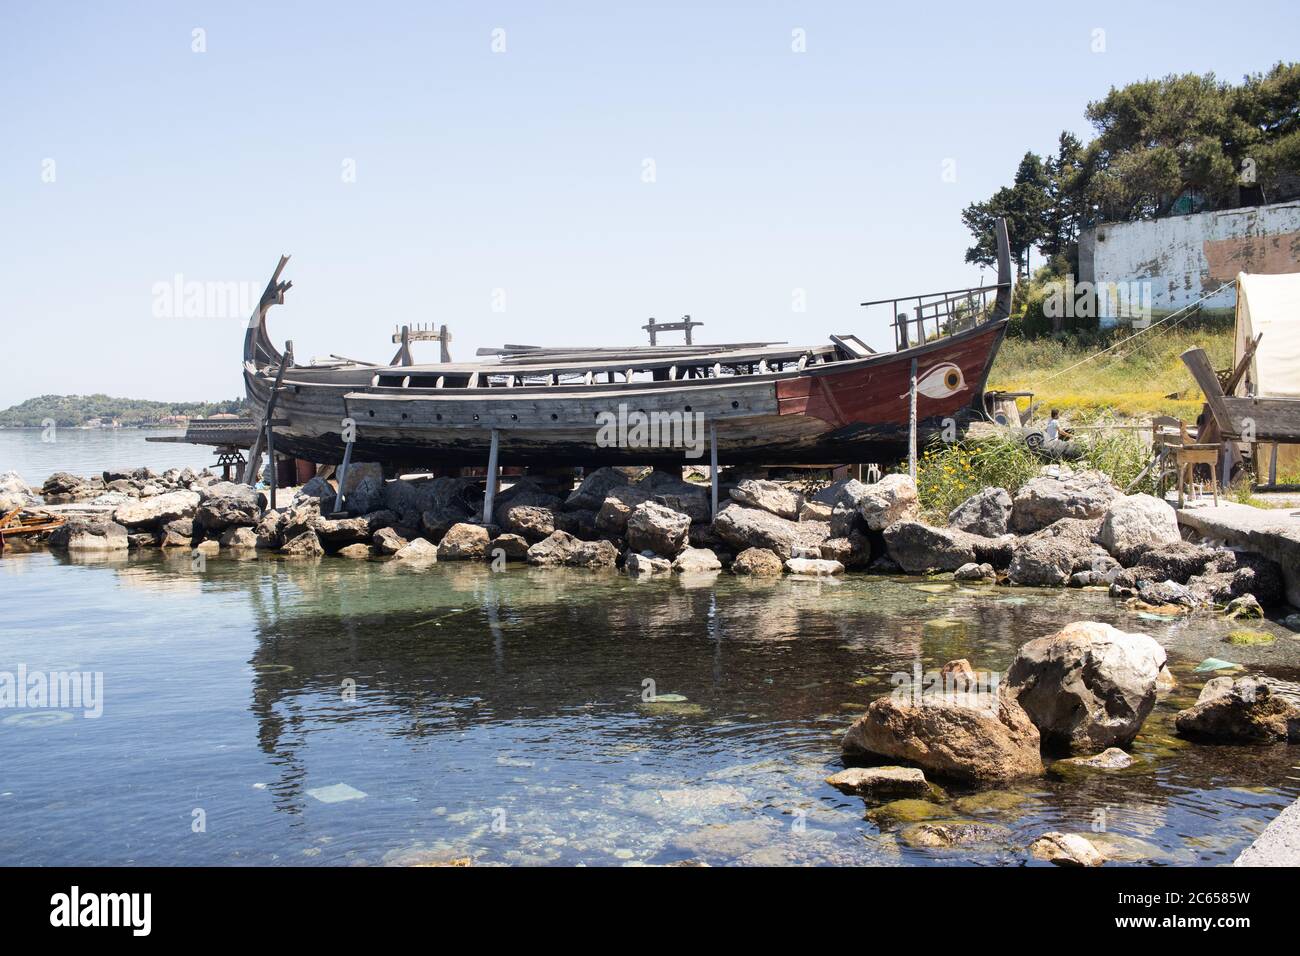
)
(761, 403)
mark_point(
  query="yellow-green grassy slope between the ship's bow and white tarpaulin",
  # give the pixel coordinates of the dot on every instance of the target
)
(1132, 380)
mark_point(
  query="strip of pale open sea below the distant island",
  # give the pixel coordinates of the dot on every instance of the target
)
(37, 455)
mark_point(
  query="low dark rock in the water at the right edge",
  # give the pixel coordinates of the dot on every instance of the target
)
(1247, 711)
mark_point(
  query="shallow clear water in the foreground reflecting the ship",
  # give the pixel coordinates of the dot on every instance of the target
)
(501, 717)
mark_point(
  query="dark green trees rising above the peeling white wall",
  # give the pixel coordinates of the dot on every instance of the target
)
(1171, 146)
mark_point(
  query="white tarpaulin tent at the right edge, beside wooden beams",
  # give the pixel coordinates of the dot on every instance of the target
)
(1269, 305)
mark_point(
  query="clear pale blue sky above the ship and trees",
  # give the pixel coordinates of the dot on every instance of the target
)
(522, 171)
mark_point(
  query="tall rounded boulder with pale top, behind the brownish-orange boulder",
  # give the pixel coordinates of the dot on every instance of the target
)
(1089, 686)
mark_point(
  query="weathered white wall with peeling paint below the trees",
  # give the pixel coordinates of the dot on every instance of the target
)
(1171, 263)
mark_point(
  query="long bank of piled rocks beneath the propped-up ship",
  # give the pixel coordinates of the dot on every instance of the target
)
(1061, 529)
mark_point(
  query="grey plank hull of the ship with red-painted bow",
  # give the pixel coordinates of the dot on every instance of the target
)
(847, 412)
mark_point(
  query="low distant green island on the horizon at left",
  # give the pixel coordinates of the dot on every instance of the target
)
(106, 412)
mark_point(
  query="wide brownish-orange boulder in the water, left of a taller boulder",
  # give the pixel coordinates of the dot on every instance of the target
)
(968, 738)
